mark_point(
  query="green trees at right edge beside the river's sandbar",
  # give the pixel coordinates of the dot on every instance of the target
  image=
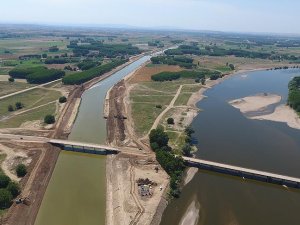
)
(294, 94)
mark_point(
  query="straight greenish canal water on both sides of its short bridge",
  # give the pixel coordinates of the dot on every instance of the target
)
(76, 194)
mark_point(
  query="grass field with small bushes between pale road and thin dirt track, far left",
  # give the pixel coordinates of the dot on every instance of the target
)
(30, 99)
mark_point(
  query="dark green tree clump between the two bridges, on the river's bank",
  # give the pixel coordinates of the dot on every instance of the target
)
(172, 164)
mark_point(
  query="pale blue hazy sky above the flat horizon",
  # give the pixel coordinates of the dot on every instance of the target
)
(264, 16)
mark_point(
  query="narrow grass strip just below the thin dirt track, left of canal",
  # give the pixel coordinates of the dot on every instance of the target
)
(33, 115)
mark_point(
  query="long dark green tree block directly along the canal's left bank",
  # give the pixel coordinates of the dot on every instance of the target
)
(82, 77)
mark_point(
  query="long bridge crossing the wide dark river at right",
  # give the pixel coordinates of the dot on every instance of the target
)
(243, 172)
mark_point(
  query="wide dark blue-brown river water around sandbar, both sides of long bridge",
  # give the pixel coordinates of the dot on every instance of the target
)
(225, 135)
